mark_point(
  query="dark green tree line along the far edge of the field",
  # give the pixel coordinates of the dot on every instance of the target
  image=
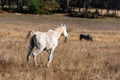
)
(64, 6)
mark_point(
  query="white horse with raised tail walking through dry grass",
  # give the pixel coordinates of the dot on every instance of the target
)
(45, 41)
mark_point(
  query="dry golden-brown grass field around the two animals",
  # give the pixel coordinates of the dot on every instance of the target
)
(75, 60)
